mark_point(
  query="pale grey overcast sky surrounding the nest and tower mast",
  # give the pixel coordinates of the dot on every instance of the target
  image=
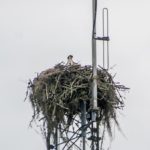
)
(37, 34)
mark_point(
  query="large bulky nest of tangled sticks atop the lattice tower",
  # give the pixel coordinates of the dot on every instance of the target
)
(56, 95)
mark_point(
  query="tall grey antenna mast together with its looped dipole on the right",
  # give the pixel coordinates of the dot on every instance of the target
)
(105, 38)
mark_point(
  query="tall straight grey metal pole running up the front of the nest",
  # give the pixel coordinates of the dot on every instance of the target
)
(94, 63)
